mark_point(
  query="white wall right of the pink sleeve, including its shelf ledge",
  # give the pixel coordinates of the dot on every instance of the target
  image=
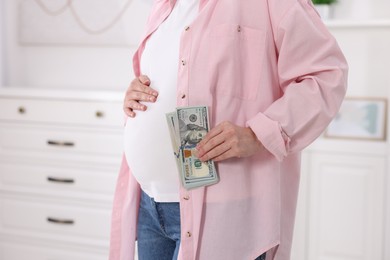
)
(365, 44)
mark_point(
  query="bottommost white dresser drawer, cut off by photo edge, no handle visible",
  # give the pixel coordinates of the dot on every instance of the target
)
(20, 251)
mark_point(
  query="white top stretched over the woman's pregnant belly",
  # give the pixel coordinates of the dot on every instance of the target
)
(147, 142)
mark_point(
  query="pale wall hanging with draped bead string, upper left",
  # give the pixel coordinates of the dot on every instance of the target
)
(91, 22)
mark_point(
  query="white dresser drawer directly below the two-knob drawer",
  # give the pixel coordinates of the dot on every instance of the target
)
(24, 139)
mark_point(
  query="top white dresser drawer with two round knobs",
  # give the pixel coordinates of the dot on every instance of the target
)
(62, 111)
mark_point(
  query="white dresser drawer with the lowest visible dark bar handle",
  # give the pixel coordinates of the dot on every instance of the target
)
(54, 220)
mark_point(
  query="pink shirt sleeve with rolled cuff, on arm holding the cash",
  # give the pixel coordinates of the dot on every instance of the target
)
(312, 75)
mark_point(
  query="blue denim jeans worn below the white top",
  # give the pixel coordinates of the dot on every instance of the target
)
(158, 230)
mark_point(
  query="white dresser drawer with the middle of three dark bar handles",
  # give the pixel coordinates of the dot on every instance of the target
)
(57, 179)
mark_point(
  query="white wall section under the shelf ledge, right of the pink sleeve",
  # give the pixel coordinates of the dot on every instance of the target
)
(366, 49)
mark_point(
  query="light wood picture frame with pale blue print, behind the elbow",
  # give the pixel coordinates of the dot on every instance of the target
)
(360, 119)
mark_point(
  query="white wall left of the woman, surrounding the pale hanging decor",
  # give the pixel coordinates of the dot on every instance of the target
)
(69, 66)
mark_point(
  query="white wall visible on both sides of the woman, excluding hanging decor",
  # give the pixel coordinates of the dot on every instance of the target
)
(99, 67)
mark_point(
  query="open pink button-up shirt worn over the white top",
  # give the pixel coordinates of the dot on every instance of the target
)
(269, 65)
